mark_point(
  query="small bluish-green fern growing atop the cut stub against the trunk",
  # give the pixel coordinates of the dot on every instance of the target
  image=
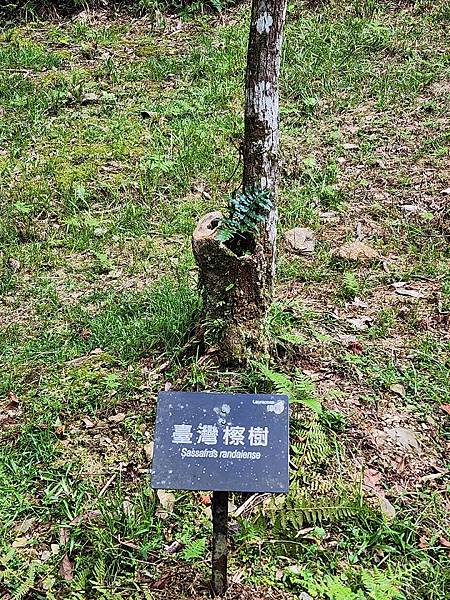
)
(246, 211)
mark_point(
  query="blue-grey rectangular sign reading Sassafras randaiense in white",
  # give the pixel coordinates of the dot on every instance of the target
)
(221, 442)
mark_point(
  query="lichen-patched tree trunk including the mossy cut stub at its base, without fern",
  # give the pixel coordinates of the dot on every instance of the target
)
(238, 285)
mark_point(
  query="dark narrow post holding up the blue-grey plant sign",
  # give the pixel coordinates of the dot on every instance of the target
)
(219, 542)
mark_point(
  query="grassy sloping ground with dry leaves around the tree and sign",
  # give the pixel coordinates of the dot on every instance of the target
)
(116, 134)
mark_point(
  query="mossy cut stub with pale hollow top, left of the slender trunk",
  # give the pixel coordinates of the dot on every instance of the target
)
(234, 293)
